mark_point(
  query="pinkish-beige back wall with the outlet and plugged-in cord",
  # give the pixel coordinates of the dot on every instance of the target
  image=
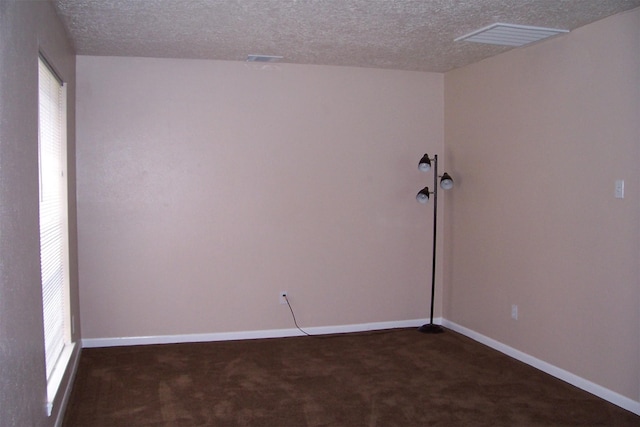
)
(207, 187)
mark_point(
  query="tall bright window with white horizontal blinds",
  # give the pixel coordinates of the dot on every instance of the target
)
(53, 226)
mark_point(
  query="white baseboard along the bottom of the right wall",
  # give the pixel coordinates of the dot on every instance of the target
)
(593, 388)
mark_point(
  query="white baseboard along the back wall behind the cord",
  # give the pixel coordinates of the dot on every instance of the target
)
(247, 335)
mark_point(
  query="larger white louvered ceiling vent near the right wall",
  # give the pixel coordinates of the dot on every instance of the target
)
(510, 34)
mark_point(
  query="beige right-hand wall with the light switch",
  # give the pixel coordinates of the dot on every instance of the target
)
(536, 138)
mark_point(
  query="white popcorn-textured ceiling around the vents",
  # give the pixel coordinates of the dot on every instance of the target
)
(398, 34)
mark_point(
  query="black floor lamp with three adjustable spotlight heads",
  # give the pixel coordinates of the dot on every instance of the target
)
(446, 183)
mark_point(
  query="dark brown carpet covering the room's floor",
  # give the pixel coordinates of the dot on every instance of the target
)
(388, 378)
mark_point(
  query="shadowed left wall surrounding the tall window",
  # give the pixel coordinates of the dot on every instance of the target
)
(26, 27)
